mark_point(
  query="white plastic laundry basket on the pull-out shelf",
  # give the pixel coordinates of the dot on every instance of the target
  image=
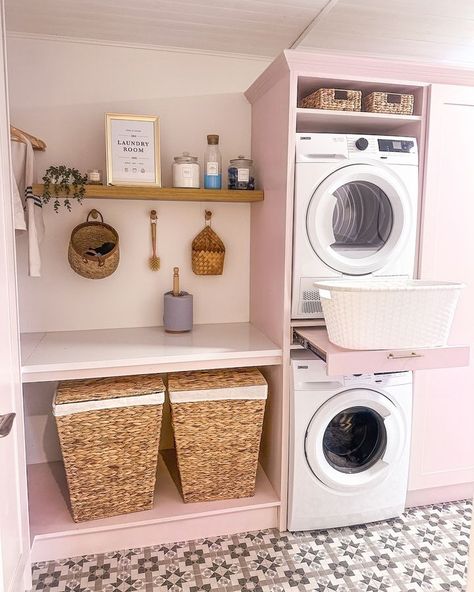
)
(388, 313)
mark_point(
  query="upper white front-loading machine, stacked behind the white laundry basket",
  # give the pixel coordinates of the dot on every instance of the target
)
(355, 211)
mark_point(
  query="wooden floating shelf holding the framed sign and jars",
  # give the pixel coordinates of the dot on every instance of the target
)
(165, 193)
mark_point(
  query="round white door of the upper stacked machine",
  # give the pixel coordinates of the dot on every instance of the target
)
(359, 218)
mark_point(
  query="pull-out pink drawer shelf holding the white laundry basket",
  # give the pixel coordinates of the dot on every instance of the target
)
(347, 361)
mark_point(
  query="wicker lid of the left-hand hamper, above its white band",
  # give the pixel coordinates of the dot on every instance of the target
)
(96, 389)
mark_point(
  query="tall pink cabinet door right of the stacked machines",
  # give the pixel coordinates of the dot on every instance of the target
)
(443, 421)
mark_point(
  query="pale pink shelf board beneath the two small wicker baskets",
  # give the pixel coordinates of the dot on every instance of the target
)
(323, 120)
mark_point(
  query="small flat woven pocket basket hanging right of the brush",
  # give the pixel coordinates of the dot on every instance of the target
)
(208, 251)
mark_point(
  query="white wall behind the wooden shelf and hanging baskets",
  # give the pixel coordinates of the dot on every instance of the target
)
(60, 91)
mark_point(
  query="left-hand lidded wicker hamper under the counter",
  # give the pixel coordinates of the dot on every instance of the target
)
(109, 430)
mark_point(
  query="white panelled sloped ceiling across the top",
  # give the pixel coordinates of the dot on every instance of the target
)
(433, 30)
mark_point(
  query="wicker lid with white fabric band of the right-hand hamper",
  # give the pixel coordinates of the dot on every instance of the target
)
(208, 385)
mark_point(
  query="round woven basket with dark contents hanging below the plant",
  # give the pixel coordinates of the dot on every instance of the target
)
(94, 248)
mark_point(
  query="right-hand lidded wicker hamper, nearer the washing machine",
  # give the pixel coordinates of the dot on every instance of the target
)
(217, 420)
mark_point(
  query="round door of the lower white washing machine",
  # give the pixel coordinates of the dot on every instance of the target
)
(354, 438)
